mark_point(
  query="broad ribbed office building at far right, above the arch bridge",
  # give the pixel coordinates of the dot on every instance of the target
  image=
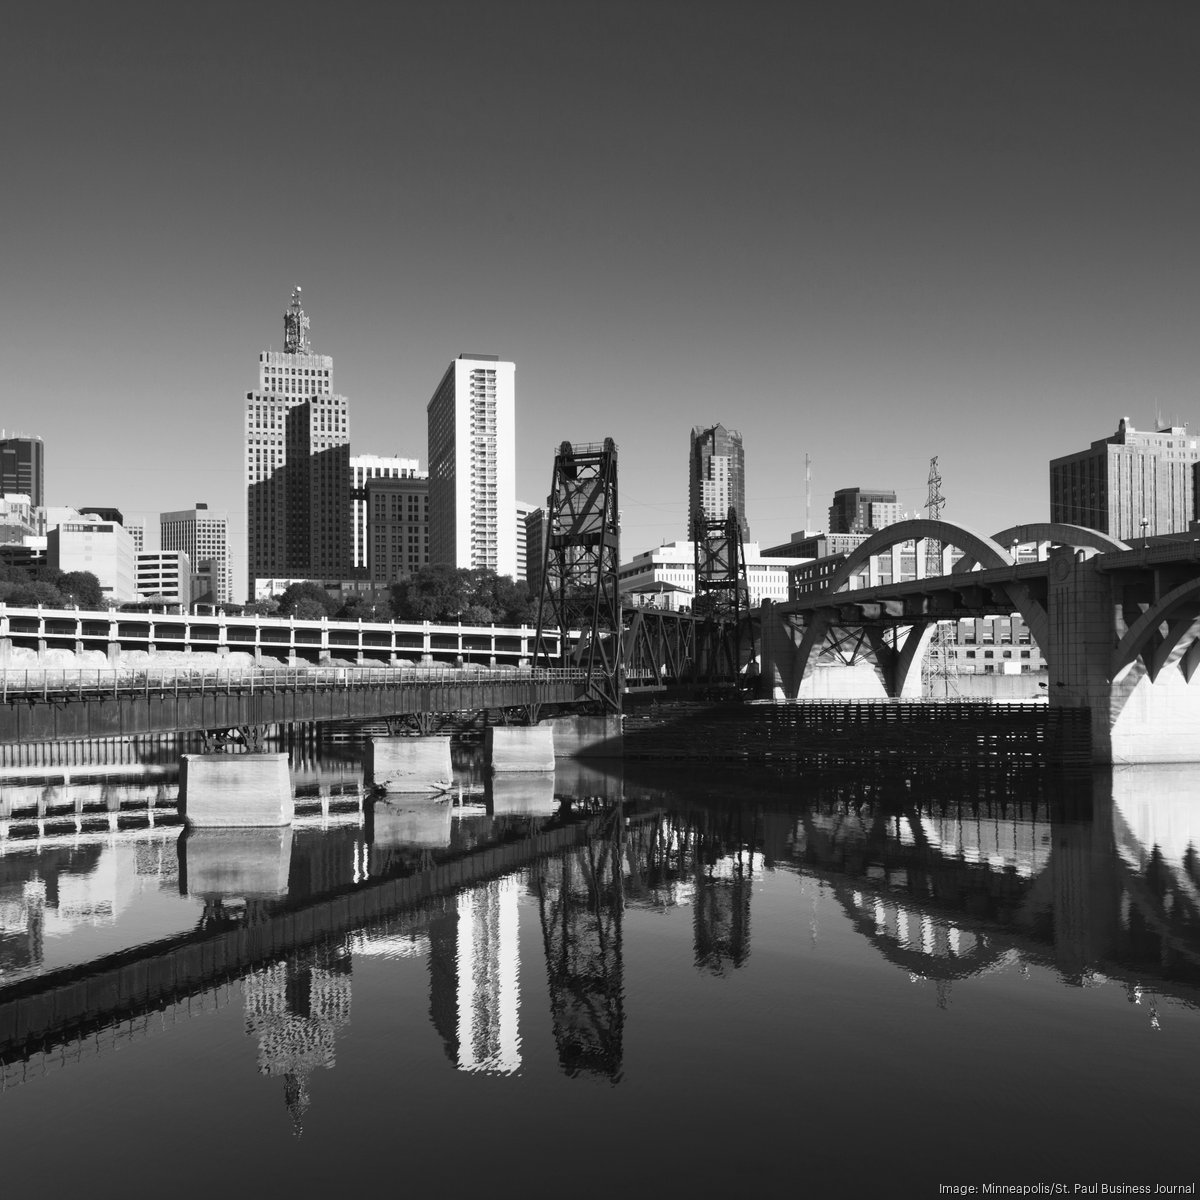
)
(1133, 484)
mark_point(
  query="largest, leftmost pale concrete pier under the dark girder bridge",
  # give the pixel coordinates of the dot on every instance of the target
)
(232, 790)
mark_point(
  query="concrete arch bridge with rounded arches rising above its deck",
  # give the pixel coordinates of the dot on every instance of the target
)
(1119, 626)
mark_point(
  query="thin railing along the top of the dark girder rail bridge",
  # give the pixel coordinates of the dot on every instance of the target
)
(49, 685)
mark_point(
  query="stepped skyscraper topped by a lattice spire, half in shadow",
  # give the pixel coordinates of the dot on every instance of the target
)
(298, 463)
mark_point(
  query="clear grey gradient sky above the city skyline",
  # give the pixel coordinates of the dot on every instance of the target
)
(868, 232)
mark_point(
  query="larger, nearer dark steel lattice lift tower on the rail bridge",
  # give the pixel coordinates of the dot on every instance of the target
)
(581, 569)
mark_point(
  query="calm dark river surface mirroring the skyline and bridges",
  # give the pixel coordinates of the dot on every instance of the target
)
(667, 983)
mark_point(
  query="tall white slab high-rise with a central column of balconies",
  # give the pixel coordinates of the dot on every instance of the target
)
(473, 466)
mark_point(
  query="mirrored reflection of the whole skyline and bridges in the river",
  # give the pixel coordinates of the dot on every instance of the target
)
(947, 875)
